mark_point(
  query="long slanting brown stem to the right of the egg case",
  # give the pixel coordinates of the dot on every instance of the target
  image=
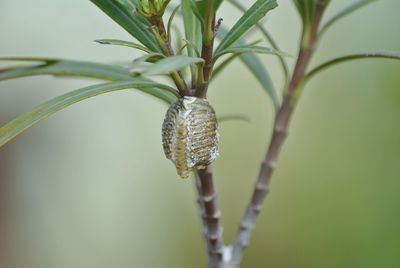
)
(282, 119)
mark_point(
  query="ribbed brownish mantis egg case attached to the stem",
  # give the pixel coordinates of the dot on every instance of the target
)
(190, 135)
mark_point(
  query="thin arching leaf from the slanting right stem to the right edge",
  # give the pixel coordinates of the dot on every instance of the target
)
(372, 54)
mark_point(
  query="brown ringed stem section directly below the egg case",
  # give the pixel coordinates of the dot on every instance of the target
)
(210, 214)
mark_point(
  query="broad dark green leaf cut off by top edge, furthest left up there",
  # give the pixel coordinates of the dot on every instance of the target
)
(130, 20)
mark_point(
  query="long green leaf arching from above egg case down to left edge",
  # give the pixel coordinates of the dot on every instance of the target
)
(25, 121)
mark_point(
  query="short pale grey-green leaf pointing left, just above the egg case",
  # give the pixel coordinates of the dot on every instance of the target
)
(171, 64)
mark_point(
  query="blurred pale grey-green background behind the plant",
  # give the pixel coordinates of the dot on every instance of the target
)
(90, 186)
